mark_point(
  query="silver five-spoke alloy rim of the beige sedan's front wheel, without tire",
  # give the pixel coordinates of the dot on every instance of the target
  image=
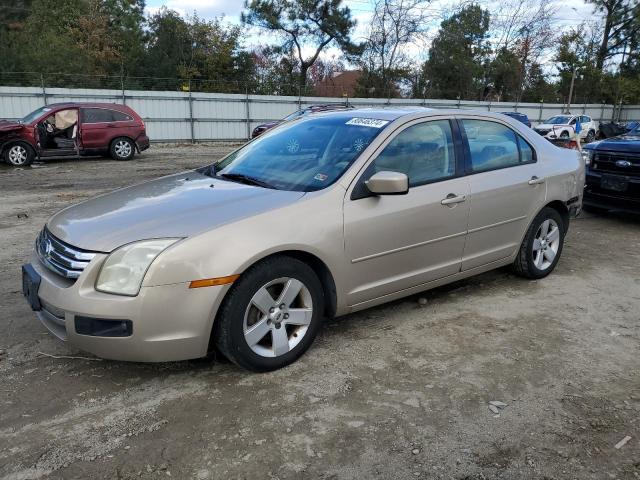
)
(278, 317)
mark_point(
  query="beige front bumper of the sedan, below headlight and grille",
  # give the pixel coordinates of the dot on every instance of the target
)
(168, 322)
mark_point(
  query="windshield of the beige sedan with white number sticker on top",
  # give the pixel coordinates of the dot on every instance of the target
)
(305, 155)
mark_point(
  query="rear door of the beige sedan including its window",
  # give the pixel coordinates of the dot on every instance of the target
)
(506, 190)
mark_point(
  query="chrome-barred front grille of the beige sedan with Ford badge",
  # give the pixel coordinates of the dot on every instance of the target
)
(60, 257)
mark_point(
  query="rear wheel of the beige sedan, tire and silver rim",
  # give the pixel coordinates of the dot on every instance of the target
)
(539, 254)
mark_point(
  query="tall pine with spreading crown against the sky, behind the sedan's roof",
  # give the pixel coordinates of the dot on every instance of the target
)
(304, 23)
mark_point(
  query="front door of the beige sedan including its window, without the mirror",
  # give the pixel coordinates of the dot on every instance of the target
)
(395, 242)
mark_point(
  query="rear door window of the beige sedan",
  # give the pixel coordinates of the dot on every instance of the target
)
(493, 145)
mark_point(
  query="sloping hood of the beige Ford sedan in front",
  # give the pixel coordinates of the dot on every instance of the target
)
(179, 205)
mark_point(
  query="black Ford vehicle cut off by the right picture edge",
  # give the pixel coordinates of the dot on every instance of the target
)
(613, 173)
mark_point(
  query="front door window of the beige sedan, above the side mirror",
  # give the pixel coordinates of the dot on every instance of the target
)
(424, 152)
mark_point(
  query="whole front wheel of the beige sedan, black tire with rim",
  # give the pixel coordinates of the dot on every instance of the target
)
(264, 338)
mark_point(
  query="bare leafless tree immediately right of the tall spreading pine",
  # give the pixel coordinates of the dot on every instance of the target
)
(395, 24)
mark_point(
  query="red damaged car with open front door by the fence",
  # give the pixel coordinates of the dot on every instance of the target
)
(73, 130)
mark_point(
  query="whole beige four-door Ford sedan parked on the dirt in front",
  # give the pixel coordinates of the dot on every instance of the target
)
(319, 217)
